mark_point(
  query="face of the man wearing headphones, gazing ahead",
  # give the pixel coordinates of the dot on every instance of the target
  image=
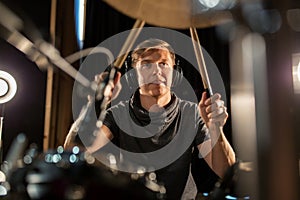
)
(154, 70)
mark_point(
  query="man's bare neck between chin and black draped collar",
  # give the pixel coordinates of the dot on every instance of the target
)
(154, 103)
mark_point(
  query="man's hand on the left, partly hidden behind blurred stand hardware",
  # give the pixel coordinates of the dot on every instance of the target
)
(113, 88)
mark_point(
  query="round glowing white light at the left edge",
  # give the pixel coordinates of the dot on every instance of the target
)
(8, 87)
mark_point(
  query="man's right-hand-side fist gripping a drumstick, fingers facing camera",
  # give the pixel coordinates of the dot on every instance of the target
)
(212, 109)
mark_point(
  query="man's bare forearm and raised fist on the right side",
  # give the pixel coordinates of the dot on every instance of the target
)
(216, 151)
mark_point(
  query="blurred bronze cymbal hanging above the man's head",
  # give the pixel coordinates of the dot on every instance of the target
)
(177, 14)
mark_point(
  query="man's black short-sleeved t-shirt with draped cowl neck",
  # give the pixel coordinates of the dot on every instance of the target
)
(162, 141)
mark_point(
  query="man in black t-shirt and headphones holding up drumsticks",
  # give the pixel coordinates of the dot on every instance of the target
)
(156, 120)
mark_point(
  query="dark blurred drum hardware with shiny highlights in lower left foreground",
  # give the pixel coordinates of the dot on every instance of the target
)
(60, 174)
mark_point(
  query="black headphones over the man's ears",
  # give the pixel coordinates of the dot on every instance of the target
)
(131, 76)
